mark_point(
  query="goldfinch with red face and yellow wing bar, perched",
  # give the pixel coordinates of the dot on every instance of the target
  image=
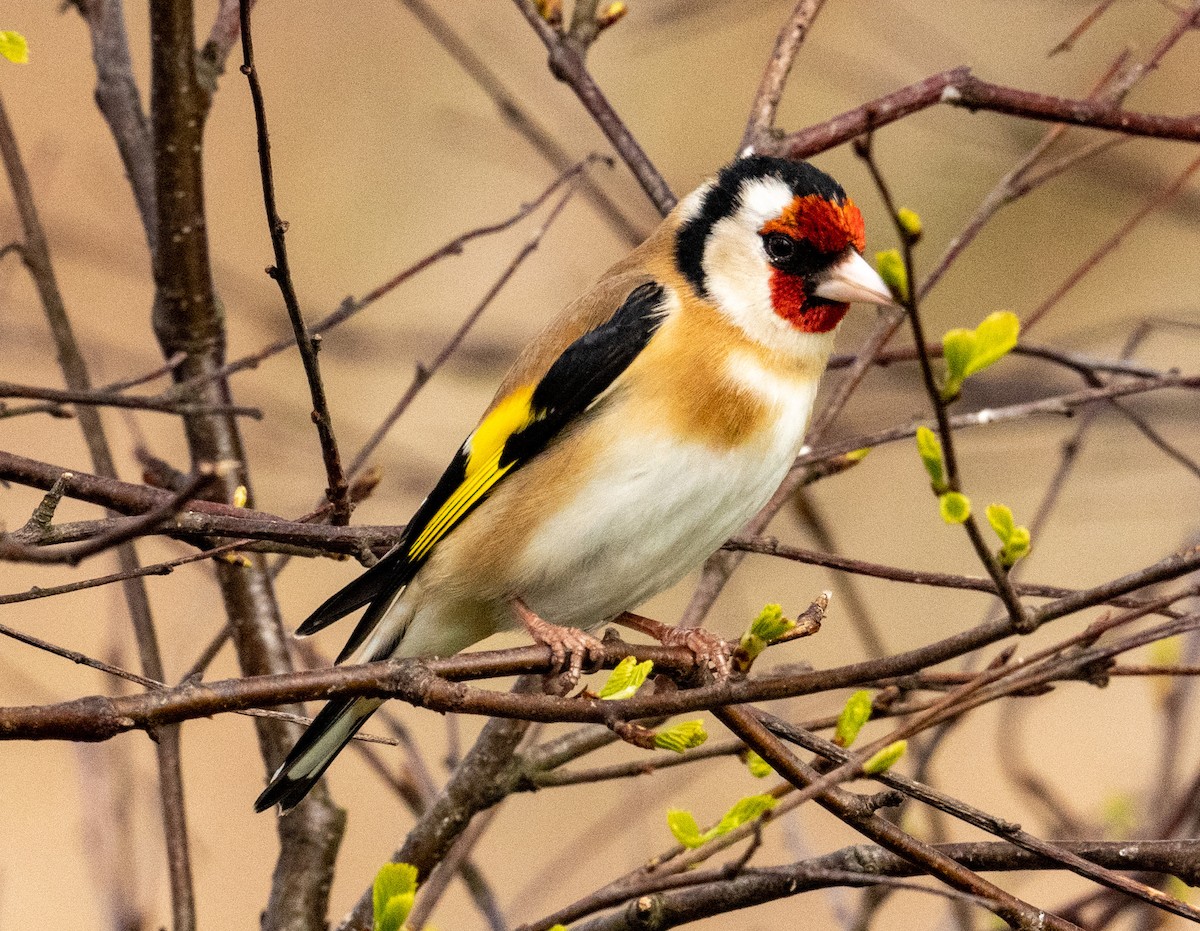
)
(628, 442)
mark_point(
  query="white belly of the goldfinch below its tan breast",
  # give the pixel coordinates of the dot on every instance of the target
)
(656, 512)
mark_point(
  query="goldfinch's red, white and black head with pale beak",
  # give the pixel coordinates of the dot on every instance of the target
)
(777, 247)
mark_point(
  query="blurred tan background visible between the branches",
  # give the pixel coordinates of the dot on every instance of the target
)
(385, 149)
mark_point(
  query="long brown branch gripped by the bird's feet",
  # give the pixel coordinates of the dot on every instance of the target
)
(436, 684)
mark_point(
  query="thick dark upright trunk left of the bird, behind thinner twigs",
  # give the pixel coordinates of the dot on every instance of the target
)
(188, 320)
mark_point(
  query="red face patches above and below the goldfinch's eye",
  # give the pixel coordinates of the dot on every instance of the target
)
(830, 229)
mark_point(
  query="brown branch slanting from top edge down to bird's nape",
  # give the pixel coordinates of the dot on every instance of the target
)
(567, 65)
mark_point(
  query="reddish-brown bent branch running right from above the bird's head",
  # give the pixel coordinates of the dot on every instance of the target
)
(959, 88)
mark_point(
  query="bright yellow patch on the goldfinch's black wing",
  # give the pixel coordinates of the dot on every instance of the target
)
(485, 447)
